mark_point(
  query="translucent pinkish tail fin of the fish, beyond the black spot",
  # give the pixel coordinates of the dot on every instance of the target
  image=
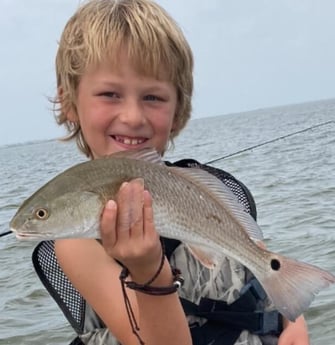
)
(293, 286)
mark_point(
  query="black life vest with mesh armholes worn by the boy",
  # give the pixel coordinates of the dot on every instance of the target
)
(224, 322)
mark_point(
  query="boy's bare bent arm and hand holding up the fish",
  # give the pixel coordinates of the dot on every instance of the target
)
(95, 274)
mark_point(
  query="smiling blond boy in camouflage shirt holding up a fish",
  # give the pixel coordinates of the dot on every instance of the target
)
(124, 77)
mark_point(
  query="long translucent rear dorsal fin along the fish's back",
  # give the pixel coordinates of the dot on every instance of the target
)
(217, 189)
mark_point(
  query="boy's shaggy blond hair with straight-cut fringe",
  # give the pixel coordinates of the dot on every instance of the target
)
(100, 29)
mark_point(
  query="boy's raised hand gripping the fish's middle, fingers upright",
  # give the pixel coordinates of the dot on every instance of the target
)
(128, 233)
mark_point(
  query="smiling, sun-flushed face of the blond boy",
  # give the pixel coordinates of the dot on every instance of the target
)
(121, 110)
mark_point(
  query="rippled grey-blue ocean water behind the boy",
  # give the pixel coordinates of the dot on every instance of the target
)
(292, 180)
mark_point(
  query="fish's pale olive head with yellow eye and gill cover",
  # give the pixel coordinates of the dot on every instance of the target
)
(68, 215)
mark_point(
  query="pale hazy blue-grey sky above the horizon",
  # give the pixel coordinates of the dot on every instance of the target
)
(248, 55)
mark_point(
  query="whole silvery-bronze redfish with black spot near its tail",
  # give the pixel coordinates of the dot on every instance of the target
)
(189, 204)
